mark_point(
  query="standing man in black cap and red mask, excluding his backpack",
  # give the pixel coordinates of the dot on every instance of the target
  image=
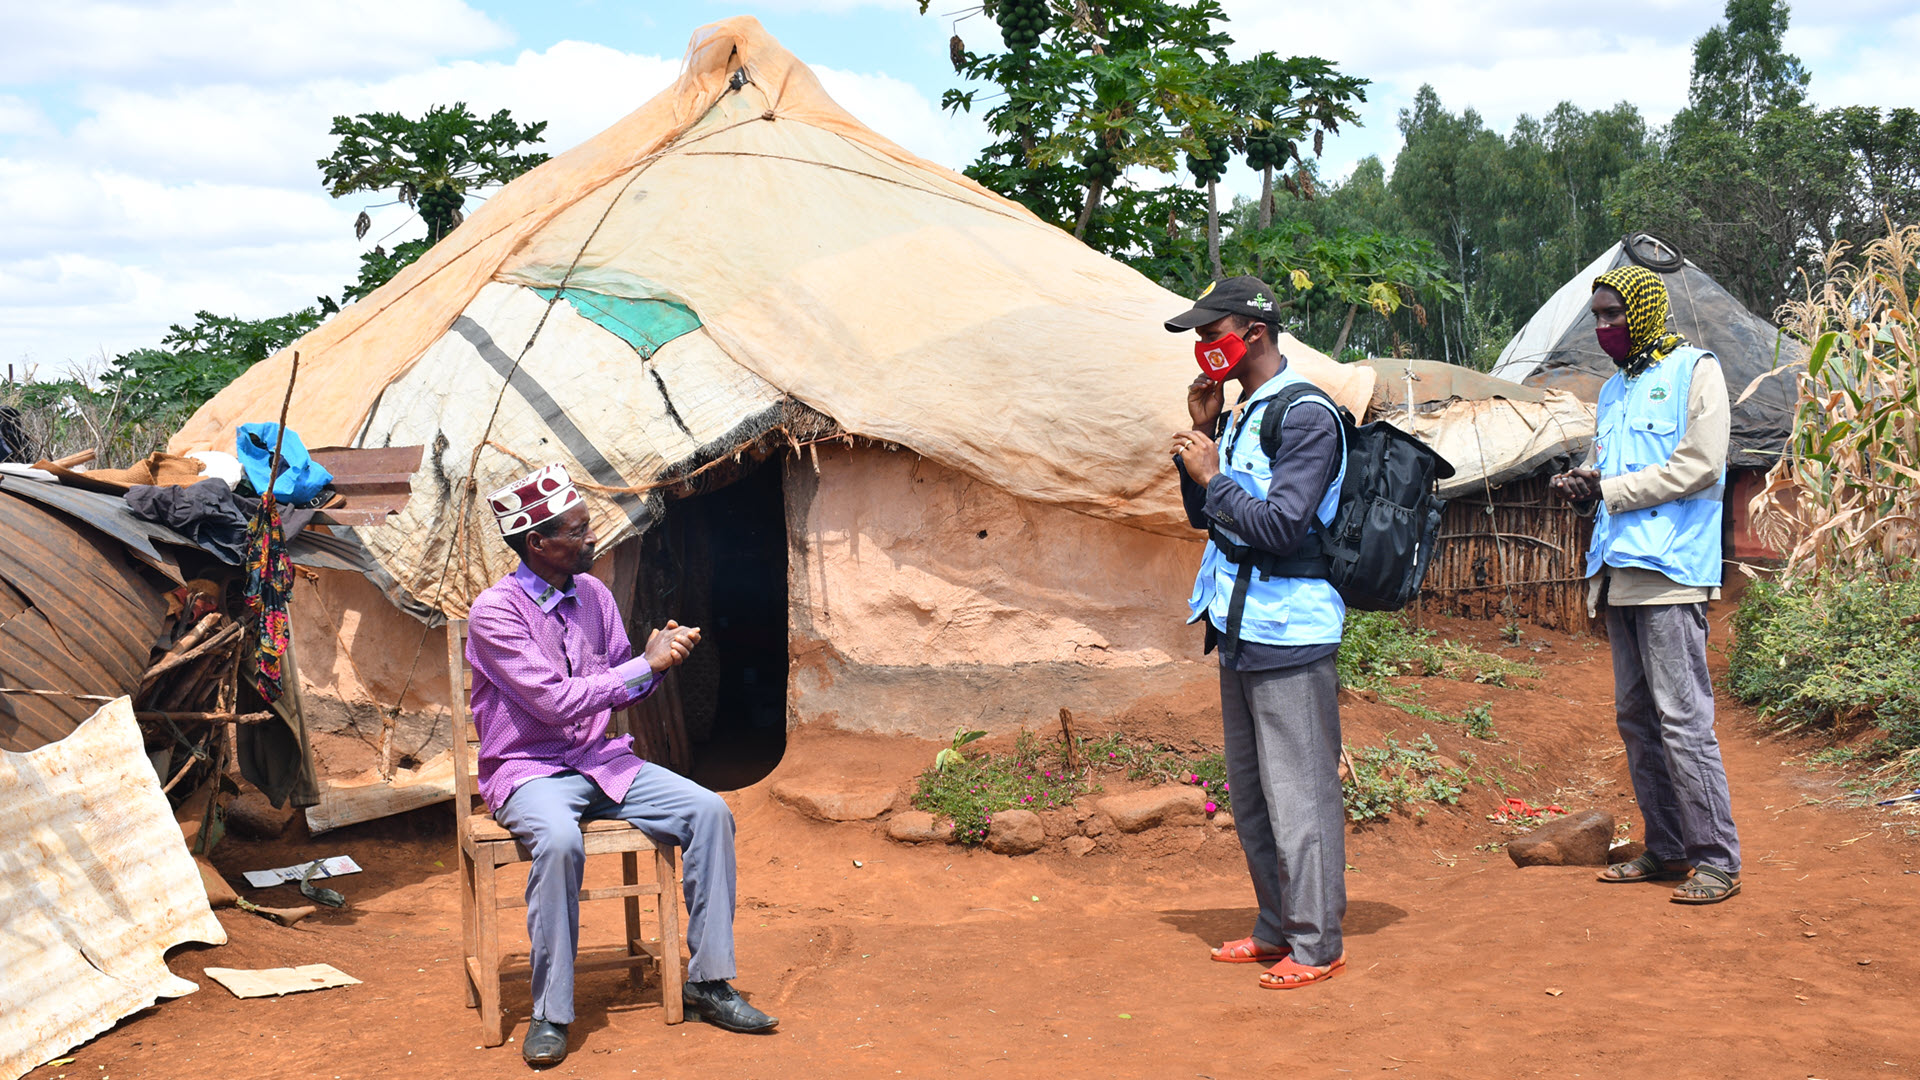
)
(1276, 624)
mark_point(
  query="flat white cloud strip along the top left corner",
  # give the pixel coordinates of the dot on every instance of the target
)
(214, 41)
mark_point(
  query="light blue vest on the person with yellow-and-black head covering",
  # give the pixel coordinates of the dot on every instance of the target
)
(1641, 424)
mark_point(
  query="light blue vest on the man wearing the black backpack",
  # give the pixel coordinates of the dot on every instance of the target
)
(1280, 612)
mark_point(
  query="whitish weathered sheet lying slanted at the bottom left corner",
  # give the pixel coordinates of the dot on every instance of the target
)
(95, 889)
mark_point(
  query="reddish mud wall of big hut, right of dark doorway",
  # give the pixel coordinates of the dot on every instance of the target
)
(924, 601)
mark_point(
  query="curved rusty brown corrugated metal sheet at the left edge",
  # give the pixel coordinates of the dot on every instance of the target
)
(76, 614)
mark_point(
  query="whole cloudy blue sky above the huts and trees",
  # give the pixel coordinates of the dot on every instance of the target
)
(158, 157)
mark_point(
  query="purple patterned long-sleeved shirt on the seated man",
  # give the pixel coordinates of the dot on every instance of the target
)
(550, 670)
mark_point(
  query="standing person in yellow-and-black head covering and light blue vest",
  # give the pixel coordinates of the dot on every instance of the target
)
(1658, 478)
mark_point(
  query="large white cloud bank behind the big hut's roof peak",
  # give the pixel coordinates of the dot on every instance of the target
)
(206, 197)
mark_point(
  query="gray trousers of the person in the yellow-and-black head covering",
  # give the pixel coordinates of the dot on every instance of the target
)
(1664, 702)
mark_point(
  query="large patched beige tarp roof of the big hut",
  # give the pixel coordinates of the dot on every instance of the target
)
(798, 257)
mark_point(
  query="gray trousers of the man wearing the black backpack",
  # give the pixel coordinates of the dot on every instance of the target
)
(1284, 762)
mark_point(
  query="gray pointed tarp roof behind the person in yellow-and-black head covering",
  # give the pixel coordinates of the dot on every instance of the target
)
(1558, 347)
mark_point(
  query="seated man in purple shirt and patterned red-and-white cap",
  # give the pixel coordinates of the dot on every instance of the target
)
(552, 660)
